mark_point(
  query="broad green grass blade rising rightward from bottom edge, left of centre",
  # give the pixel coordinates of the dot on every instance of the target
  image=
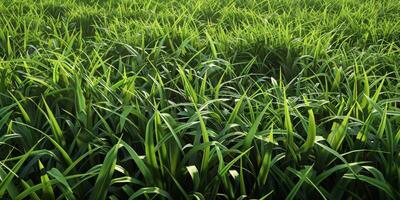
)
(103, 180)
